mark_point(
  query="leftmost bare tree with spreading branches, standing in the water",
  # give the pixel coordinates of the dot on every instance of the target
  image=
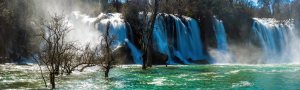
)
(55, 49)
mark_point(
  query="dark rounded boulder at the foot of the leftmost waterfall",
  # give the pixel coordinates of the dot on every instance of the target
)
(122, 55)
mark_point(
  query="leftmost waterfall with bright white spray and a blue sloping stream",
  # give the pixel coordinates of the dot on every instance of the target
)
(88, 30)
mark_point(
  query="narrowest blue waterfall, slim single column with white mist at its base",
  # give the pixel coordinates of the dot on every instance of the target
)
(221, 55)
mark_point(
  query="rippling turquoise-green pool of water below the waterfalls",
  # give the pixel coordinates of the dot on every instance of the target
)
(267, 76)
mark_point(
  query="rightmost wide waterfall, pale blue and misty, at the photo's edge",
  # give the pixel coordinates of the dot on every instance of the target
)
(278, 41)
